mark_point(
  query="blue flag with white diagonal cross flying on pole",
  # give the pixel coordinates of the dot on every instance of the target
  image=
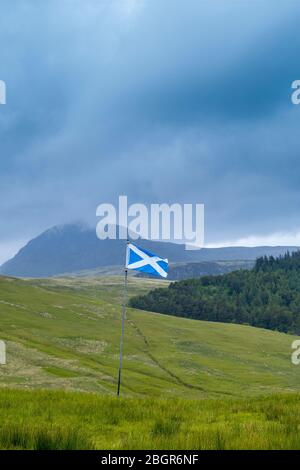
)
(142, 260)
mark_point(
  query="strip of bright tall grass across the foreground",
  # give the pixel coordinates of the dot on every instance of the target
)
(63, 420)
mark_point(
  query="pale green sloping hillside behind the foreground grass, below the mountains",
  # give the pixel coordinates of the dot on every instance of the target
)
(65, 333)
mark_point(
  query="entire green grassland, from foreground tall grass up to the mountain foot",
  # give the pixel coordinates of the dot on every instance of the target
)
(186, 384)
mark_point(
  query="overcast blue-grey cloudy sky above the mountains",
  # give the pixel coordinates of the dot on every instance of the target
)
(162, 100)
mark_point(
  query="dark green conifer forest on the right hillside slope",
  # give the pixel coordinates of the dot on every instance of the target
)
(267, 296)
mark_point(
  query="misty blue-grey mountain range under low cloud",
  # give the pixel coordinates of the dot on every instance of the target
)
(74, 247)
